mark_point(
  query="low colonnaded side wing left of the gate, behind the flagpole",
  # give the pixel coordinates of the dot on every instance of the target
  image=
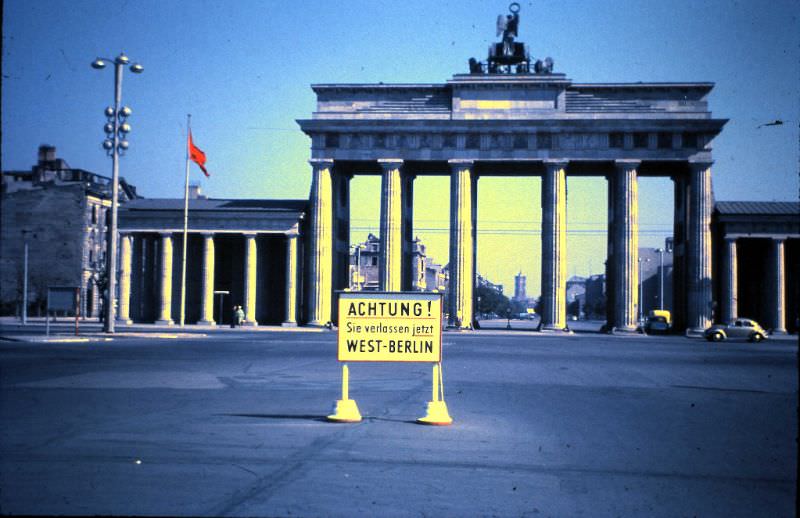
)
(239, 253)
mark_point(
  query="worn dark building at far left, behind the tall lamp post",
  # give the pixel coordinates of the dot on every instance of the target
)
(62, 214)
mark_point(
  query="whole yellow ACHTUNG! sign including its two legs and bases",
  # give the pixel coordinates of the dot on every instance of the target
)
(391, 327)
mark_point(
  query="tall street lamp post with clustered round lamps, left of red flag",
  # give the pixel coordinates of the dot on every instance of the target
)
(115, 128)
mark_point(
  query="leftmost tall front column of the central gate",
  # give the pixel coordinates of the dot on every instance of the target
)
(320, 261)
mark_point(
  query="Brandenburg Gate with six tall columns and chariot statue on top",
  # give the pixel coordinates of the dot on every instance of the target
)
(513, 116)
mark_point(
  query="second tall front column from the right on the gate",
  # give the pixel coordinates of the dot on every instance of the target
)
(626, 246)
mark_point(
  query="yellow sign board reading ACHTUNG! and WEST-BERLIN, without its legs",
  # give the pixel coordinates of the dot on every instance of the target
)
(390, 327)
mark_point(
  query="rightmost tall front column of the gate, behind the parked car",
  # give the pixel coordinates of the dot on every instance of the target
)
(698, 278)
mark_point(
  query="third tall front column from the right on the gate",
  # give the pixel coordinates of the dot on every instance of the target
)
(554, 247)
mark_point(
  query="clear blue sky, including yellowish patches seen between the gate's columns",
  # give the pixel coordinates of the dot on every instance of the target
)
(243, 70)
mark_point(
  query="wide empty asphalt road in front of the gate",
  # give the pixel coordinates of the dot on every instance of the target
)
(233, 424)
